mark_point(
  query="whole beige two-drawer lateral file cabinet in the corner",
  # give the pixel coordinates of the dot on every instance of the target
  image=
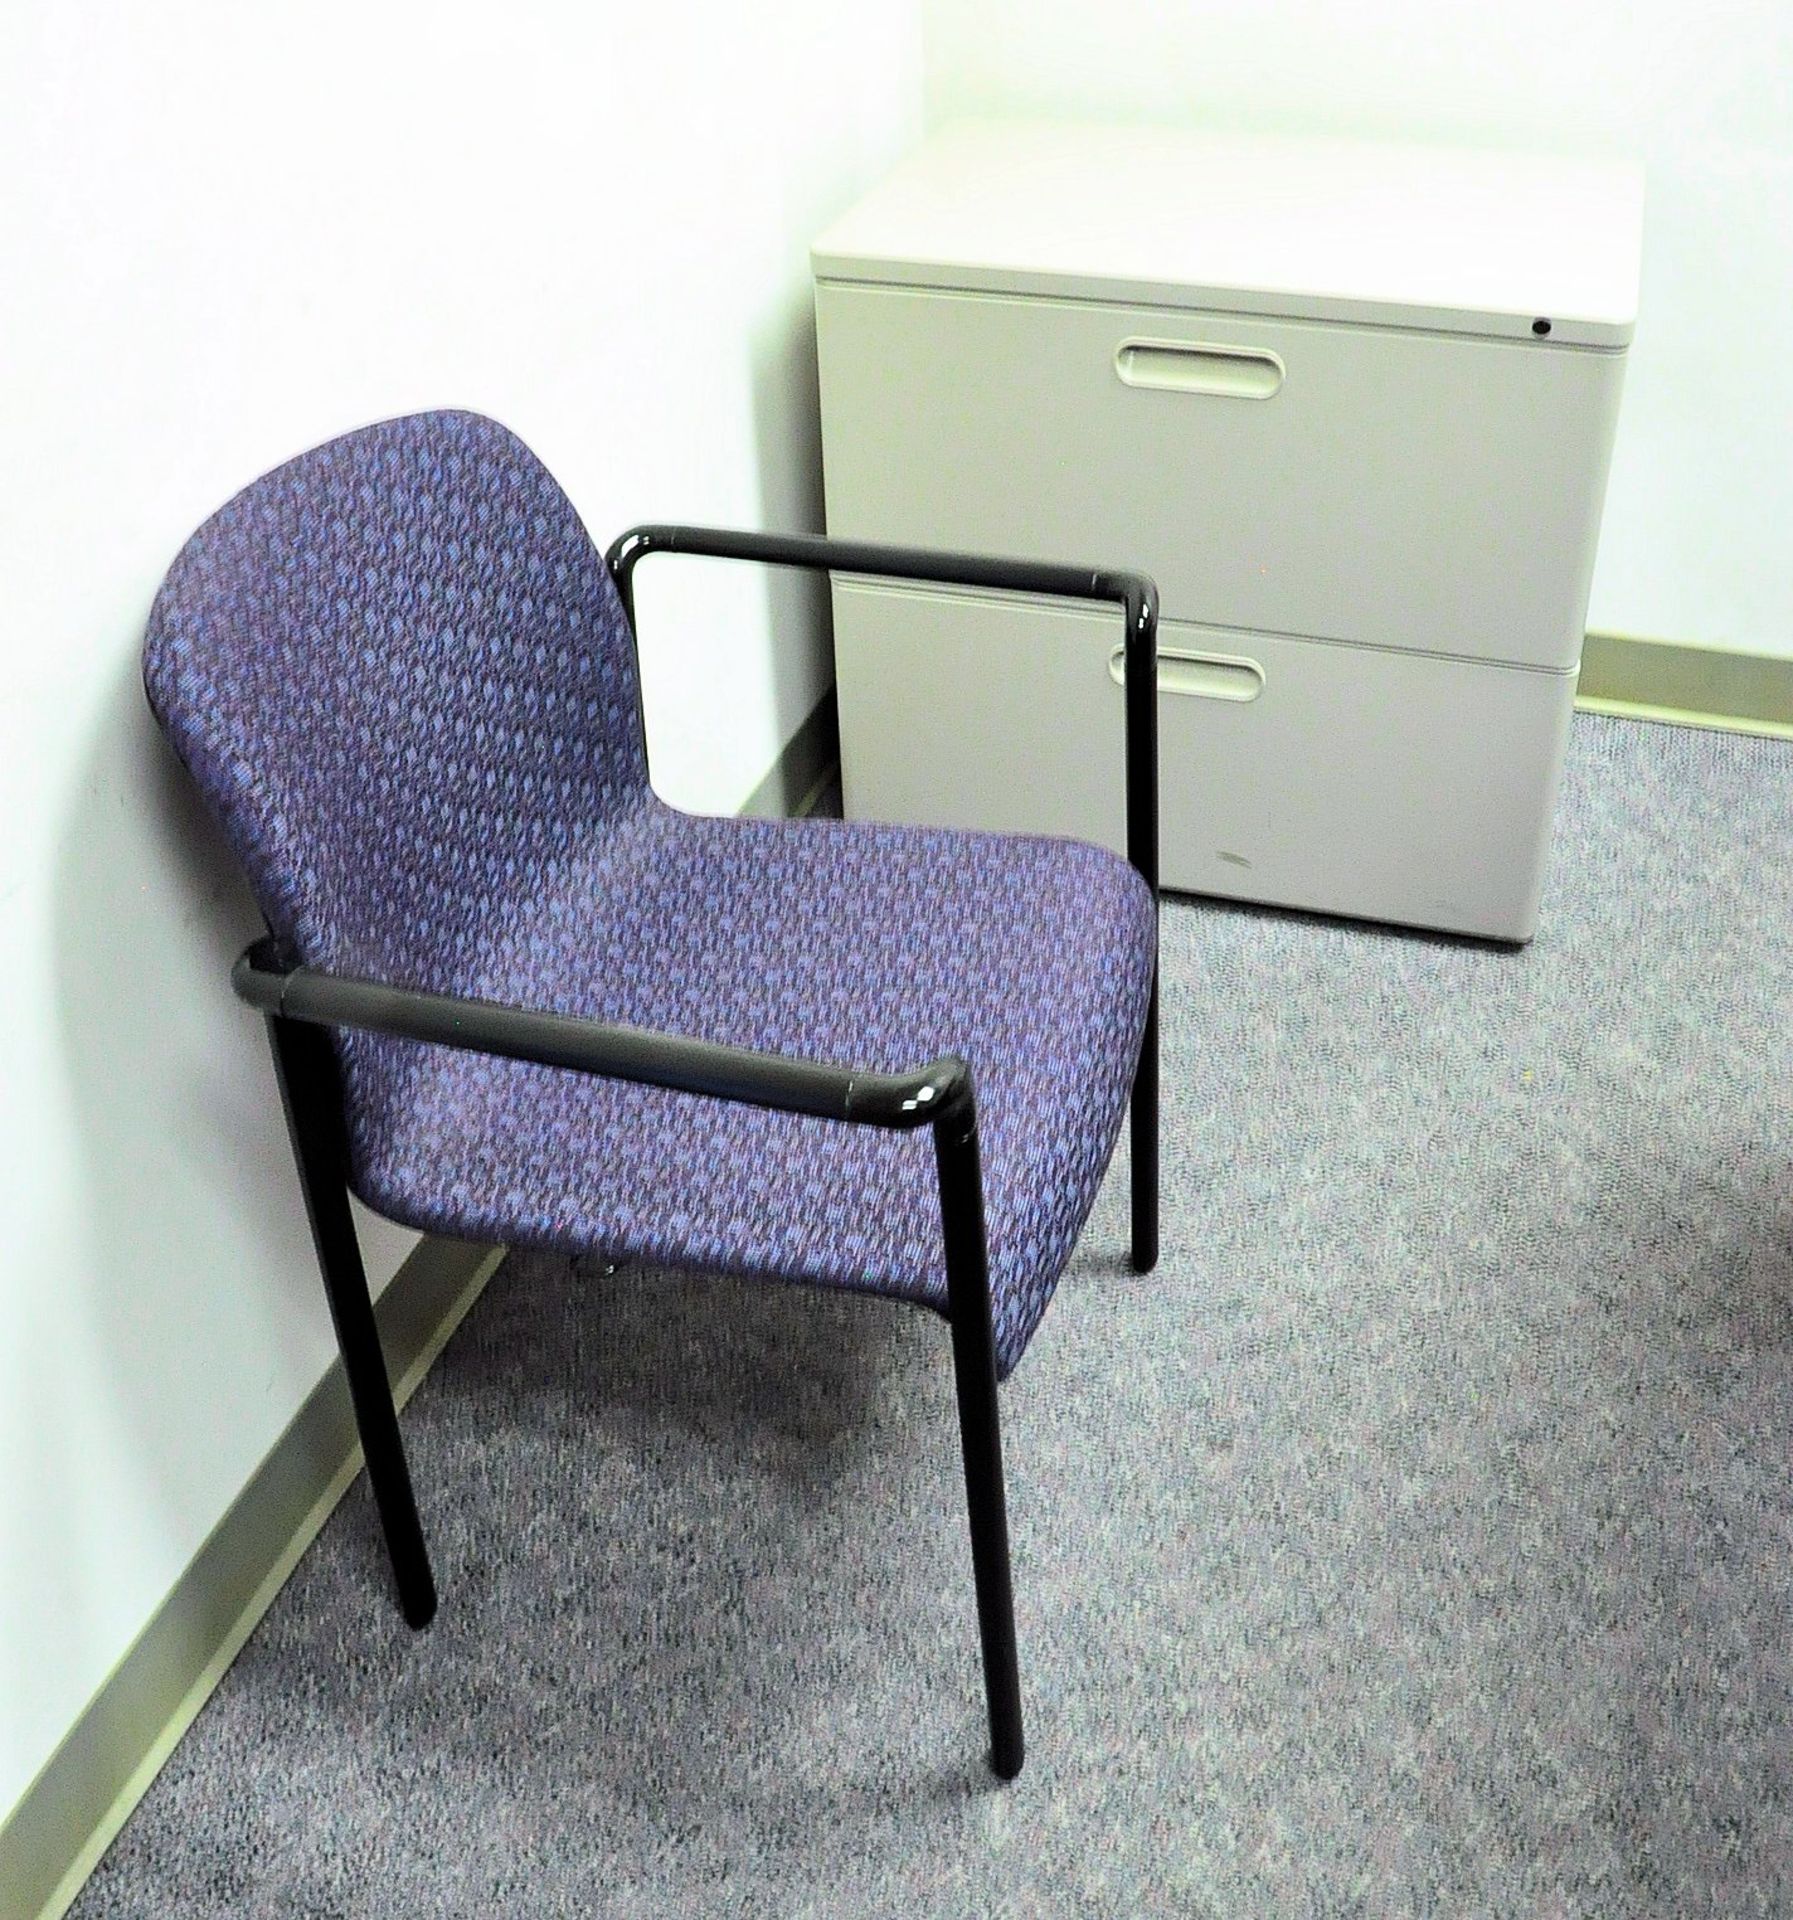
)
(1351, 406)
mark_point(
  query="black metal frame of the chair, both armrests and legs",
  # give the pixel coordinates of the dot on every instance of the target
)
(302, 1003)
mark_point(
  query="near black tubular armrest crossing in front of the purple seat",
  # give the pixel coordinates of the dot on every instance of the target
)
(899, 1101)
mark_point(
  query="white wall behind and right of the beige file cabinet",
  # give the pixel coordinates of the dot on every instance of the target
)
(1702, 496)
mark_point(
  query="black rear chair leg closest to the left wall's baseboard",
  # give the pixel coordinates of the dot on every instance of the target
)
(314, 1118)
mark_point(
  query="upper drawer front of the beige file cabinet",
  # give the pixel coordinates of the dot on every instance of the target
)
(1375, 485)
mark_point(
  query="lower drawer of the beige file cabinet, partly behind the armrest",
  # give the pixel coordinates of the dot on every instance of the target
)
(1339, 779)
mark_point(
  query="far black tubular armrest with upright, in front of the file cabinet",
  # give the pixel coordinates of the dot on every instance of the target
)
(1136, 594)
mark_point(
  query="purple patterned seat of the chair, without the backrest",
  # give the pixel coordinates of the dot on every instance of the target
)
(878, 948)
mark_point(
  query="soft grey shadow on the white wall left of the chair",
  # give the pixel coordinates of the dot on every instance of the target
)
(172, 1099)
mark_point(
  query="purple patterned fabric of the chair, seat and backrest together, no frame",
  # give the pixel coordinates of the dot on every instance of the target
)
(402, 679)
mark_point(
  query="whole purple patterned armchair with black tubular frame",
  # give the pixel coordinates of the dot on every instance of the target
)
(515, 997)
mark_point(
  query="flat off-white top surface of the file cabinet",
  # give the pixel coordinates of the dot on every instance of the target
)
(1372, 233)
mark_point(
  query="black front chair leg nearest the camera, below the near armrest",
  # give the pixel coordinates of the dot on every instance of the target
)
(974, 1368)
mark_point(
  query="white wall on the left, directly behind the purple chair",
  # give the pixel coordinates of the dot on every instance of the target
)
(227, 233)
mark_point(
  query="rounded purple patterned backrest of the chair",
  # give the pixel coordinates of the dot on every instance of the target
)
(402, 677)
